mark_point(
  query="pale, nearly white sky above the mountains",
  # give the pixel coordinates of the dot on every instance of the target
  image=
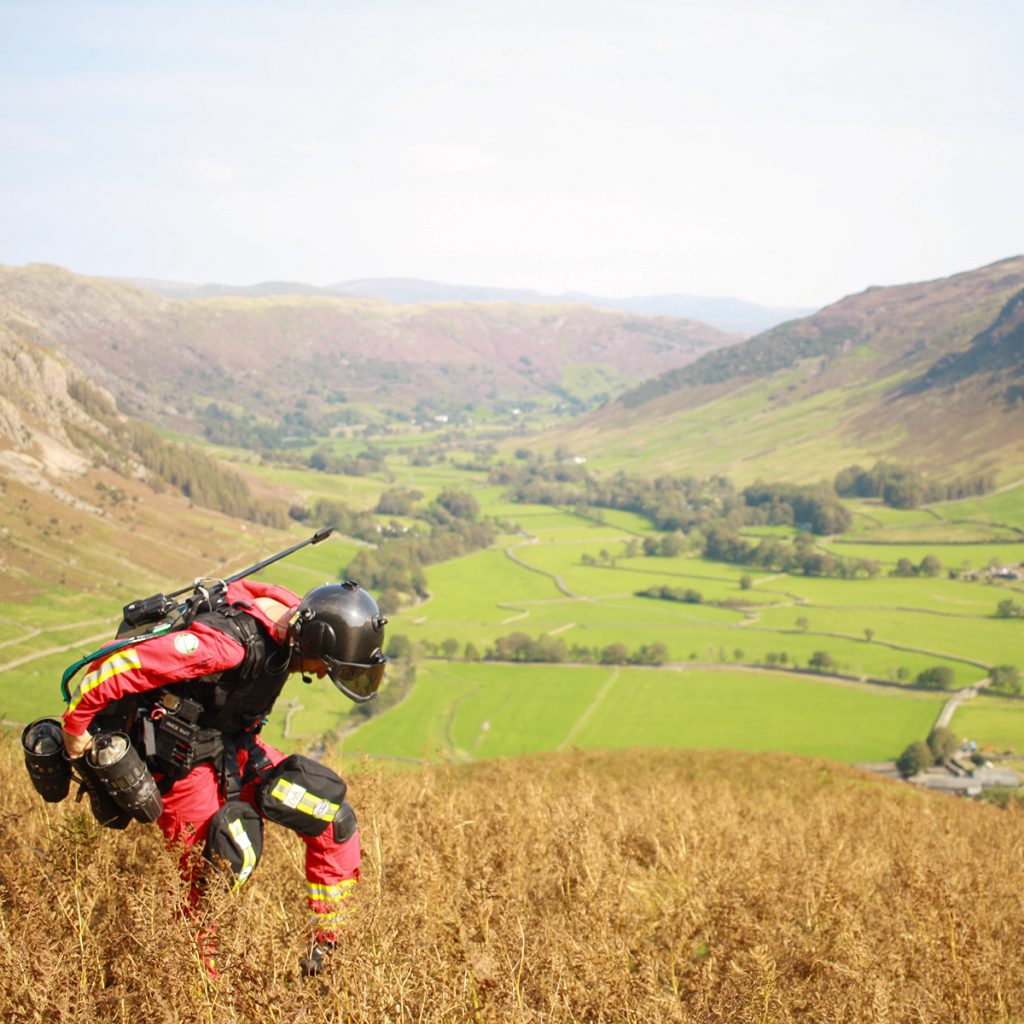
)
(783, 153)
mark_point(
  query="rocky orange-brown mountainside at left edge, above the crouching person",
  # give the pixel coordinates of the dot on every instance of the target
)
(94, 501)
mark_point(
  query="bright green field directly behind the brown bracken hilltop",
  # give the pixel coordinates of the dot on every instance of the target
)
(466, 712)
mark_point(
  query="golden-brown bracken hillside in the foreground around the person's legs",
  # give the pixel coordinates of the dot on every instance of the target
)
(628, 887)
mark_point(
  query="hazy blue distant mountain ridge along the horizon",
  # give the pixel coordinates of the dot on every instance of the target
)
(733, 316)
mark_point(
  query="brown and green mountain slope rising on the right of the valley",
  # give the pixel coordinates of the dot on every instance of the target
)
(930, 374)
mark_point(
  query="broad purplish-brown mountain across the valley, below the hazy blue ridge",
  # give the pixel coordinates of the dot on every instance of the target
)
(304, 361)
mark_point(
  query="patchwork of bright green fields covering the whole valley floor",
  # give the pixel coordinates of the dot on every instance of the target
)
(561, 575)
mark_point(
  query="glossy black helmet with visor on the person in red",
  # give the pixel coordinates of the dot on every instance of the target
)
(340, 625)
